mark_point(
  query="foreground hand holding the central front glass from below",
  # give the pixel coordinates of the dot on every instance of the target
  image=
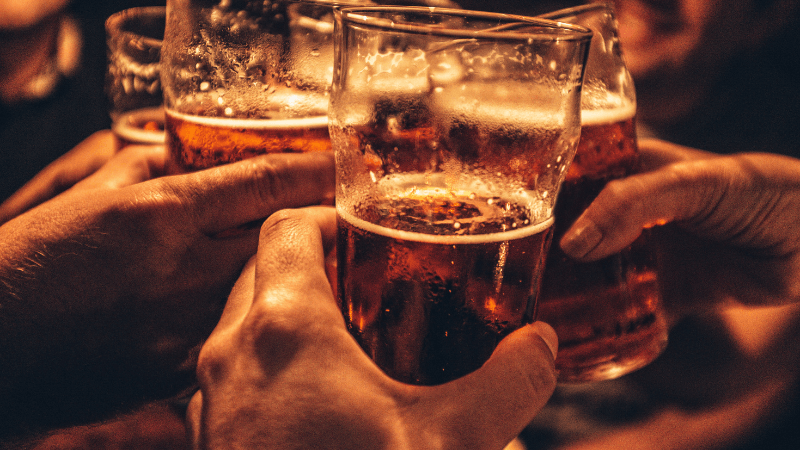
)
(282, 371)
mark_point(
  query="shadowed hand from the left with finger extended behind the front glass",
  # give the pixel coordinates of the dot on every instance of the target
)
(108, 289)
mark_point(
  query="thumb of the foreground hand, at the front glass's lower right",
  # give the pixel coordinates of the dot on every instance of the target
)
(504, 395)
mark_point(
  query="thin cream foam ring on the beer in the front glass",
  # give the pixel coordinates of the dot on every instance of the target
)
(445, 239)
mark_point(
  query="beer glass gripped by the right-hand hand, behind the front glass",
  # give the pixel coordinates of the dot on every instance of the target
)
(608, 314)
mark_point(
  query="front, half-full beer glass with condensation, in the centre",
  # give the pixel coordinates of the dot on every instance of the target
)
(452, 132)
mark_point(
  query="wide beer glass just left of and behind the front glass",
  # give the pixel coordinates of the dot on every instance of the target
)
(246, 78)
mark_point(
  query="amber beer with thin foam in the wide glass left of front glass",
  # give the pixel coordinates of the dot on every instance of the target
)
(200, 142)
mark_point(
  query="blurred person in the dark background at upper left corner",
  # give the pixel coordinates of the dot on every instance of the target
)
(52, 69)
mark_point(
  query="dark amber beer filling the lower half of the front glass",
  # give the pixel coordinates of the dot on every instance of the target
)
(431, 281)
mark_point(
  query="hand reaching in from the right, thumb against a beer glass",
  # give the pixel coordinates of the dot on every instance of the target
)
(733, 233)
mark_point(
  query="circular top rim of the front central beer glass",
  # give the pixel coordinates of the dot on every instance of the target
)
(560, 31)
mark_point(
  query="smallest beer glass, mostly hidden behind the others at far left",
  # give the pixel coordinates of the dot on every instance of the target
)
(133, 87)
